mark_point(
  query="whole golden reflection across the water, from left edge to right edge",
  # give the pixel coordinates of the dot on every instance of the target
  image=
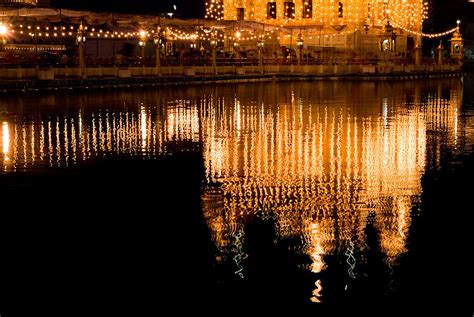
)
(322, 160)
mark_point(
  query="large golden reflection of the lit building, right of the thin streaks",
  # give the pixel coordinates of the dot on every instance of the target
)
(324, 170)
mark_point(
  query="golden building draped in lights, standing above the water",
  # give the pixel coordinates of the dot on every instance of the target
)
(357, 26)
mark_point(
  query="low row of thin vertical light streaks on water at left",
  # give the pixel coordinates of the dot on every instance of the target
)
(68, 139)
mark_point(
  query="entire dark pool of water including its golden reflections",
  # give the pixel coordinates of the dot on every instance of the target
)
(322, 197)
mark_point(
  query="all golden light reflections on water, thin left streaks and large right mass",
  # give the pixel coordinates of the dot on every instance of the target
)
(294, 161)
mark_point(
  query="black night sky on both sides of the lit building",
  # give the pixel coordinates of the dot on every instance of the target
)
(445, 12)
